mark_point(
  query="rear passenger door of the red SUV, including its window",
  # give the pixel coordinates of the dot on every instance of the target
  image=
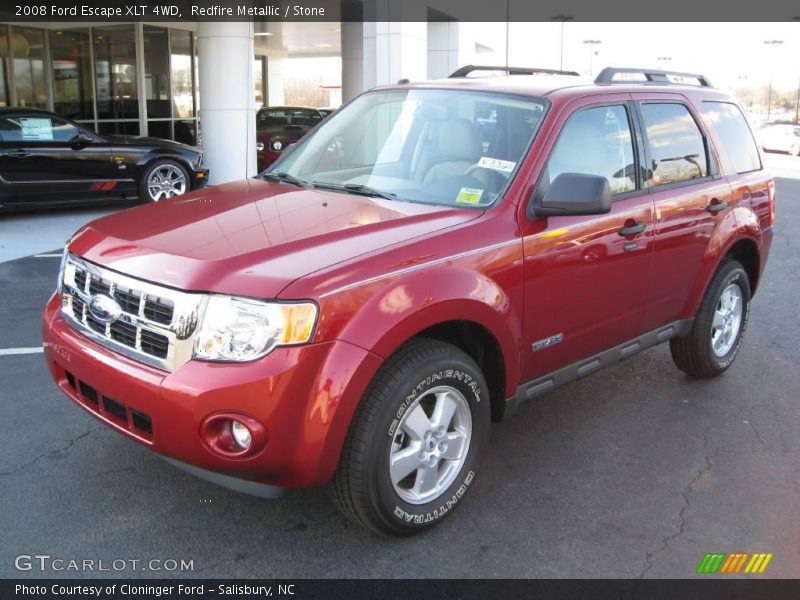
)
(691, 200)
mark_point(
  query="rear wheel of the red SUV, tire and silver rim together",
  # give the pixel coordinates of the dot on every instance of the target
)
(719, 326)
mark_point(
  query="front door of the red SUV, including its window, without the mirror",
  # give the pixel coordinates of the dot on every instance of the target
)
(586, 277)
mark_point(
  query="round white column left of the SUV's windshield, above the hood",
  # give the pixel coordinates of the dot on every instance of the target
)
(227, 113)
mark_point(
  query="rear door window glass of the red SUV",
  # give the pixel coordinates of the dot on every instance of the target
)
(677, 147)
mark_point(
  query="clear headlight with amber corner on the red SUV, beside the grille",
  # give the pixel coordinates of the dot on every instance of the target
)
(240, 329)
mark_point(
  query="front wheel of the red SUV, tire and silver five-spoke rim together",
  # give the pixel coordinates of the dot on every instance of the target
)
(413, 447)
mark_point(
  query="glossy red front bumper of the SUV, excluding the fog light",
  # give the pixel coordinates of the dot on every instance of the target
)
(304, 396)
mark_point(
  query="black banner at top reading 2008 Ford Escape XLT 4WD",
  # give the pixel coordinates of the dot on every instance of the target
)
(102, 11)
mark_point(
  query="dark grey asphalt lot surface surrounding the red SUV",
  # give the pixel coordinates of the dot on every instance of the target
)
(636, 471)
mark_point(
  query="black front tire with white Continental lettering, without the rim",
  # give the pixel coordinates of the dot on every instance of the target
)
(362, 487)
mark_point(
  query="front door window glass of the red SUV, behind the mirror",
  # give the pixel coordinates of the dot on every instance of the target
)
(596, 141)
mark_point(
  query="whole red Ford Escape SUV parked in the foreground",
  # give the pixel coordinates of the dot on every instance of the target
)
(431, 256)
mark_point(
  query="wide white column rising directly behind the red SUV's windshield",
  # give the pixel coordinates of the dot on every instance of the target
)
(380, 53)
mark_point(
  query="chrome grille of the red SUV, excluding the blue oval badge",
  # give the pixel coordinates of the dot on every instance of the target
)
(156, 326)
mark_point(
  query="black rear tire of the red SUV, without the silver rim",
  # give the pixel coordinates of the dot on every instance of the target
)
(693, 353)
